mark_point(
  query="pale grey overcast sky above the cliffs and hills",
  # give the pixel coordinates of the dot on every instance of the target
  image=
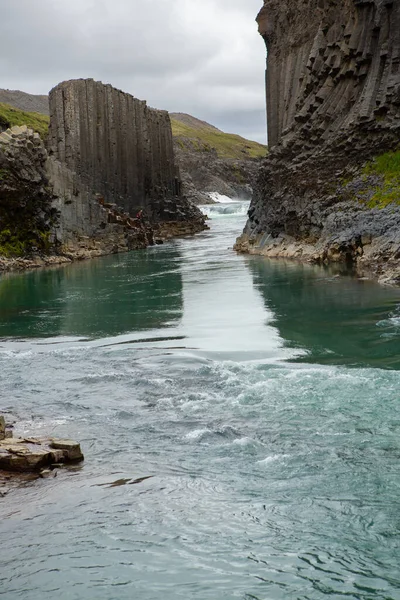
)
(202, 57)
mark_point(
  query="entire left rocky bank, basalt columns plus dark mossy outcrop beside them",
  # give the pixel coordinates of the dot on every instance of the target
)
(108, 156)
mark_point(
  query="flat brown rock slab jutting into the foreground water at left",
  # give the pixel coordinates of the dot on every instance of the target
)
(31, 454)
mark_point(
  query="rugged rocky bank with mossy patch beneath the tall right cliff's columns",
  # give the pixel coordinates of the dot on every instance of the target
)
(352, 218)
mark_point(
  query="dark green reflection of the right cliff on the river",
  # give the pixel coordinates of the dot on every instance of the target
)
(337, 320)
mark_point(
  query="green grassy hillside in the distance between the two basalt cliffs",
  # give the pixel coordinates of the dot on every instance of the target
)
(227, 145)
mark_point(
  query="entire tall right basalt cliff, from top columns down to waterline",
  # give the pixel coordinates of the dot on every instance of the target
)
(330, 188)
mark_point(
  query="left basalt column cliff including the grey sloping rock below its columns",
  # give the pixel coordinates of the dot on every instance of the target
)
(110, 156)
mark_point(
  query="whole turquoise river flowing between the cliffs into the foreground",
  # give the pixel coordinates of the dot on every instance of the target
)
(239, 419)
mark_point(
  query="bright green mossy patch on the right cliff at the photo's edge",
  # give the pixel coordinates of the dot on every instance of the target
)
(387, 167)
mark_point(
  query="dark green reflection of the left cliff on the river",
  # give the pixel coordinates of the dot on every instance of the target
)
(102, 297)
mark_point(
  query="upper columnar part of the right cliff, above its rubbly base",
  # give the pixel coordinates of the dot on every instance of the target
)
(331, 64)
